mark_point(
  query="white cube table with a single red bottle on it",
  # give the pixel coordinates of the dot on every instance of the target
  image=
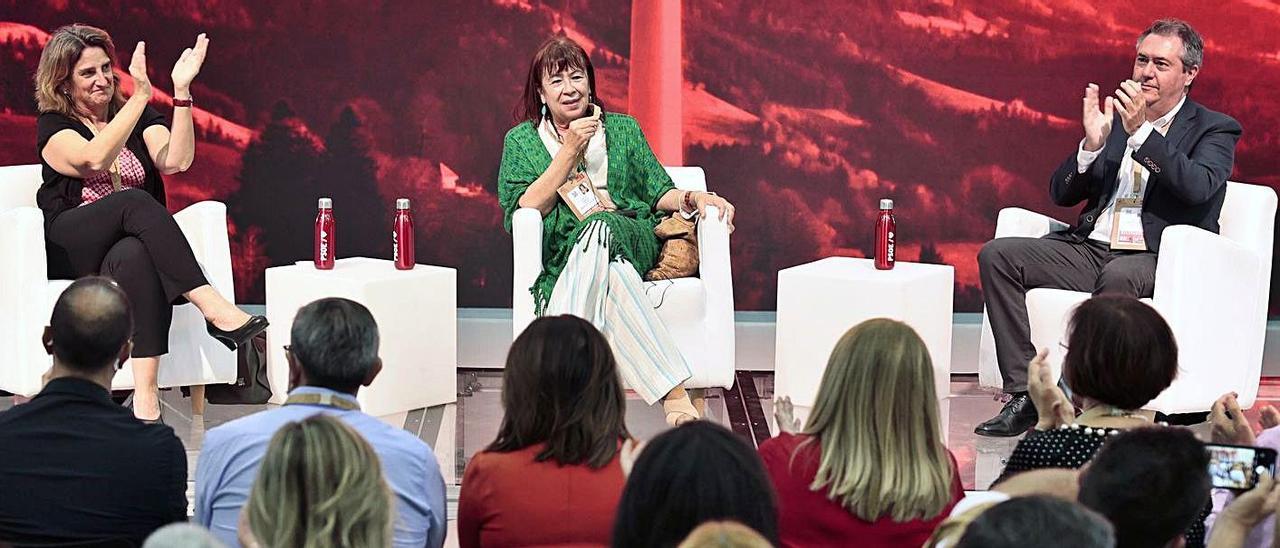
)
(820, 302)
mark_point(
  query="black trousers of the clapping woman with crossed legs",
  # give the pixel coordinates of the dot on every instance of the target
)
(131, 239)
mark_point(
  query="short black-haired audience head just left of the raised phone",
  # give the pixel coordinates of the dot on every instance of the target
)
(1151, 483)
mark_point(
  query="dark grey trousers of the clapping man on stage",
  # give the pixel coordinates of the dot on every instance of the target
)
(1011, 267)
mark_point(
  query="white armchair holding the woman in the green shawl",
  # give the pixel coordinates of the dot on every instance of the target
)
(698, 312)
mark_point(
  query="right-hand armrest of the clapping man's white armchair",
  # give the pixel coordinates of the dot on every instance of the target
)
(1212, 291)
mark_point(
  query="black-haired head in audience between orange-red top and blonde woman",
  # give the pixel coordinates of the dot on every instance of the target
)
(689, 476)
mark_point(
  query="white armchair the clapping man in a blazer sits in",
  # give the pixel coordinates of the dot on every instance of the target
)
(1212, 290)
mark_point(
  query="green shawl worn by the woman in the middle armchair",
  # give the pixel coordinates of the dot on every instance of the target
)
(637, 182)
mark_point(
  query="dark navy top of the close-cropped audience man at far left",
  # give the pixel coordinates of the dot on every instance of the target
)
(75, 465)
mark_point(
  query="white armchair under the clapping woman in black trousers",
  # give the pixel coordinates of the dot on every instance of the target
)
(28, 294)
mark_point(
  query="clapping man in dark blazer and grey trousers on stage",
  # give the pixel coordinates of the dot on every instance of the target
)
(1150, 158)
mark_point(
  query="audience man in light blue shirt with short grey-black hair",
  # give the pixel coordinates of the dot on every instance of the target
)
(335, 353)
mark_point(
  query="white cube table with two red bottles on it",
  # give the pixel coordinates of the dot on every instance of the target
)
(417, 314)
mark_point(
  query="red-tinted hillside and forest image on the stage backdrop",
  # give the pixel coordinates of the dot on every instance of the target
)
(802, 113)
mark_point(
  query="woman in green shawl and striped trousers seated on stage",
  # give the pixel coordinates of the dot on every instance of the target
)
(592, 268)
